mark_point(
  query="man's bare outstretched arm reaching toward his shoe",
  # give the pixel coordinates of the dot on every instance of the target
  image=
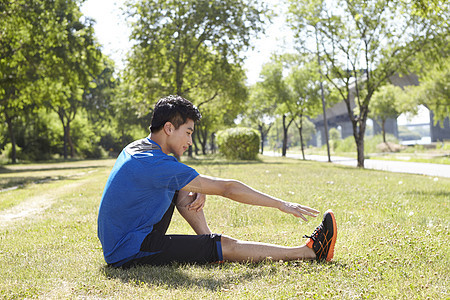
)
(237, 191)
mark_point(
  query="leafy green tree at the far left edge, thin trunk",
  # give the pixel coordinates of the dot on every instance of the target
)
(24, 31)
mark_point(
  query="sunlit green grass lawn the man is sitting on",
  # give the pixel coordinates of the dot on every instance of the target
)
(393, 235)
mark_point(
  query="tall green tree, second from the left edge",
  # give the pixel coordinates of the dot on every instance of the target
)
(71, 66)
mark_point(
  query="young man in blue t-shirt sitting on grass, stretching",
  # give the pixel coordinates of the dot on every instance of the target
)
(146, 184)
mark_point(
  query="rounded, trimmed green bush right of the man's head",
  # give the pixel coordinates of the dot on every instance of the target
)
(238, 143)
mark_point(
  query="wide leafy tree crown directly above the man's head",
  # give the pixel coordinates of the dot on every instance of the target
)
(180, 44)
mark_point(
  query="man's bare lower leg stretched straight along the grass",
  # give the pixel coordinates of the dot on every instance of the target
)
(242, 251)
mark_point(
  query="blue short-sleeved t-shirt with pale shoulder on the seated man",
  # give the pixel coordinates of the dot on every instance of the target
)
(138, 192)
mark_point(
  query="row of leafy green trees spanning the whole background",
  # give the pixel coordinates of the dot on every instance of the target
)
(52, 69)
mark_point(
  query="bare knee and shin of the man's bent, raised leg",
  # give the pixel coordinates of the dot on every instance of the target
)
(196, 219)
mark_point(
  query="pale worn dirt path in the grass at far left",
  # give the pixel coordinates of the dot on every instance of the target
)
(34, 205)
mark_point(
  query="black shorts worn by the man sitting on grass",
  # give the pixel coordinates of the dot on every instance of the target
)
(161, 249)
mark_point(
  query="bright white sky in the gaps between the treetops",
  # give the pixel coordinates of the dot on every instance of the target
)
(112, 32)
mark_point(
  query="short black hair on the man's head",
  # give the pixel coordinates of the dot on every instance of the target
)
(174, 109)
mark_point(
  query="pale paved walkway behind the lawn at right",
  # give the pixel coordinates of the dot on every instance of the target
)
(438, 170)
